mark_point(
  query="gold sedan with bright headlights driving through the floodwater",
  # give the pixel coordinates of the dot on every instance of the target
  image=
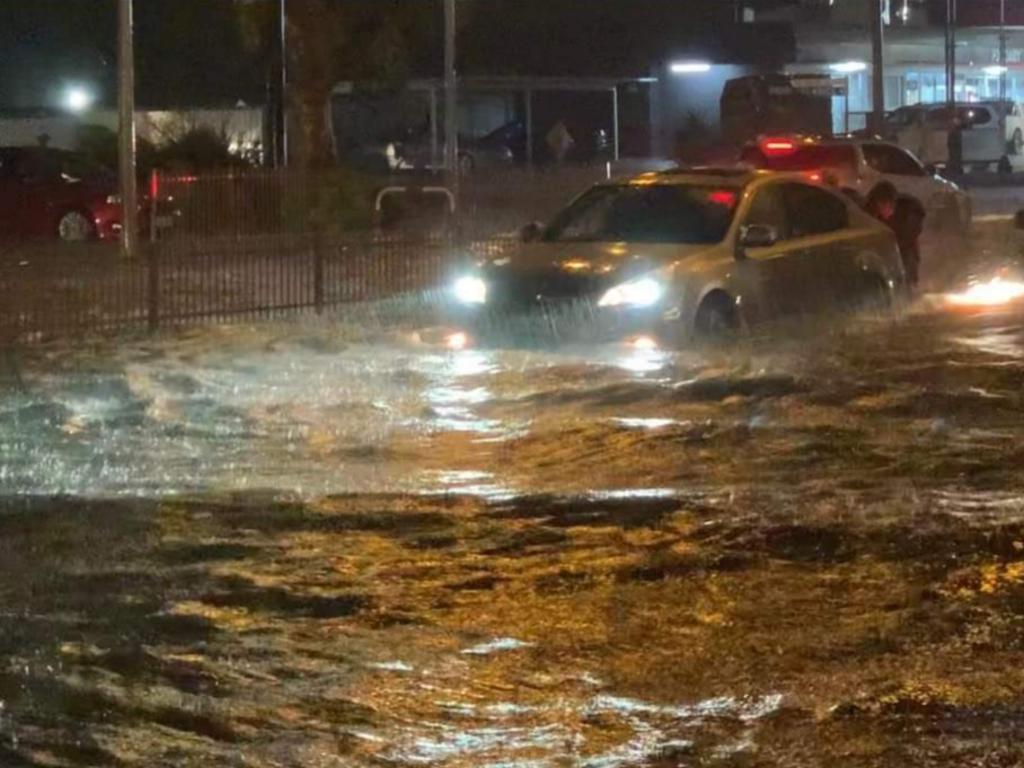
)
(694, 252)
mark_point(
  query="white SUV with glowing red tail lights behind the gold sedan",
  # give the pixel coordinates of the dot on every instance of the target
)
(861, 164)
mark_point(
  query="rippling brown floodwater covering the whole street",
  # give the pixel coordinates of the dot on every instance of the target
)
(316, 545)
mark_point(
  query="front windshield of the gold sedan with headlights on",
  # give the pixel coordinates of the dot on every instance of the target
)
(661, 214)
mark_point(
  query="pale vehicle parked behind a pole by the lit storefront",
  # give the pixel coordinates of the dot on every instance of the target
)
(924, 130)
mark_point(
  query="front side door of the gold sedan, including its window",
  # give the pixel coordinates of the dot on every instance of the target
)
(776, 279)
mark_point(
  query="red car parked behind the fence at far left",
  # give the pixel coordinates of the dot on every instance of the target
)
(57, 194)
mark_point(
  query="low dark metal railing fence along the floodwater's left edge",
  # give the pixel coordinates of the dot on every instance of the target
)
(50, 292)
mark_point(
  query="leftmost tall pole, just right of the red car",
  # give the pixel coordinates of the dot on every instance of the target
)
(126, 136)
